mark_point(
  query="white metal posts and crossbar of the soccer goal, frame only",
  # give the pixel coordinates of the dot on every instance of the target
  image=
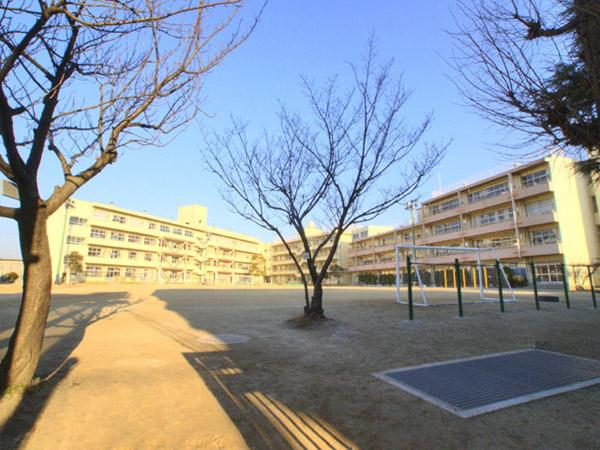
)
(456, 250)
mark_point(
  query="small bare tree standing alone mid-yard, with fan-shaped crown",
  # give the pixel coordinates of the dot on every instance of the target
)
(351, 162)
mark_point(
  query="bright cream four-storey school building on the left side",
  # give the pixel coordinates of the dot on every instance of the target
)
(125, 245)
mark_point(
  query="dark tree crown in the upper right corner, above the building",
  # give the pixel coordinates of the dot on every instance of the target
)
(534, 67)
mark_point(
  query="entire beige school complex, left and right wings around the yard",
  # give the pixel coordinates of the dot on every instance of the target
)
(541, 212)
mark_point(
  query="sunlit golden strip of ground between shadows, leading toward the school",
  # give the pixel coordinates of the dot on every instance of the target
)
(127, 385)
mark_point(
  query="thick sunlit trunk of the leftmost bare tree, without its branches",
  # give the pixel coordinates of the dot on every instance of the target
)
(24, 349)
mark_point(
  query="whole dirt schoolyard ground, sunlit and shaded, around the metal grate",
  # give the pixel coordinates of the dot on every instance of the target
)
(130, 366)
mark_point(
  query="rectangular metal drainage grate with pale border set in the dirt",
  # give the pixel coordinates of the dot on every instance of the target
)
(473, 386)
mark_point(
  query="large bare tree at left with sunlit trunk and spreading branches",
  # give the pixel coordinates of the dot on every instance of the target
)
(84, 80)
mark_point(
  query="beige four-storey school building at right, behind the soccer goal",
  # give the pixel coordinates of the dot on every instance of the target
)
(541, 212)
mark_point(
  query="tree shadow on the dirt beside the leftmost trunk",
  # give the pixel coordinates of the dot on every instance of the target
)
(70, 315)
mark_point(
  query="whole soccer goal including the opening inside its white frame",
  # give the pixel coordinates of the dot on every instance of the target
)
(434, 267)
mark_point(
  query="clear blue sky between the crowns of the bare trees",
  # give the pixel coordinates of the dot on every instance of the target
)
(297, 38)
